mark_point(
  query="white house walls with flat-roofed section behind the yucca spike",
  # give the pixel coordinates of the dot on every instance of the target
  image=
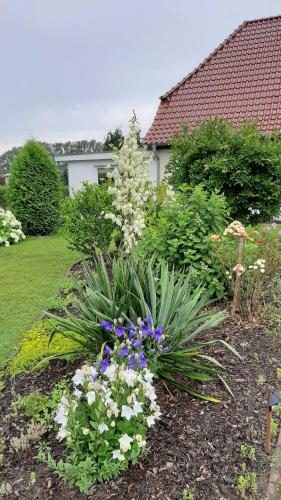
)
(93, 167)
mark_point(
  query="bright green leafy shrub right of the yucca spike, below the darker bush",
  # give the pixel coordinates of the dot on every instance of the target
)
(181, 235)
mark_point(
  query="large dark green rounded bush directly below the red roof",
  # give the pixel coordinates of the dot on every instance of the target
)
(242, 163)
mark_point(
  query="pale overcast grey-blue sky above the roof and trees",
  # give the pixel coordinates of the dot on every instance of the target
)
(74, 69)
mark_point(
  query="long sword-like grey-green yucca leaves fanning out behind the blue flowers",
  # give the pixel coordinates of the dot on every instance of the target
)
(132, 290)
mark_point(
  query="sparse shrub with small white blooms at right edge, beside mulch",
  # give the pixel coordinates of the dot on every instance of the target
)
(259, 267)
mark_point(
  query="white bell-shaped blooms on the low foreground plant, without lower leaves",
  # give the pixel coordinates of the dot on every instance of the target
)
(118, 394)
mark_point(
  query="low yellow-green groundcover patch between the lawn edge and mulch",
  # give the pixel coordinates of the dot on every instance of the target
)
(35, 347)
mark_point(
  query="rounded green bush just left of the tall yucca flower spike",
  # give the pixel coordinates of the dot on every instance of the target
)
(85, 224)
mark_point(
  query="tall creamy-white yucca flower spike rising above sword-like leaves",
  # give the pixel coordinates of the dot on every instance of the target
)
(131, 188)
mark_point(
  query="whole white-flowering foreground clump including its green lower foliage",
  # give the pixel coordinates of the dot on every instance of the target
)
(106, 418)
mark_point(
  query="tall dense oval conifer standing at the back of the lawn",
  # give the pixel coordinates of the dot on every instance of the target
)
(34, 189)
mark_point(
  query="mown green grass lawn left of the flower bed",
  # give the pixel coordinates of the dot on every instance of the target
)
(30, 274)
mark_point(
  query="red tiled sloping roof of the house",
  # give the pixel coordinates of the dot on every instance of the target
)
(240, 80)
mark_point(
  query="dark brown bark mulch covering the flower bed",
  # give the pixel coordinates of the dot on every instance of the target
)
(196, 443)
